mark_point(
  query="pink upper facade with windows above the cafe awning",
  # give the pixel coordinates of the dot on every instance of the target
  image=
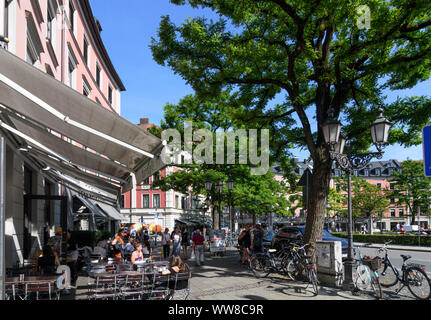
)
(62, 38)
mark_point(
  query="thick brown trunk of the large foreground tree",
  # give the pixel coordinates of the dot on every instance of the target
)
(318, 197)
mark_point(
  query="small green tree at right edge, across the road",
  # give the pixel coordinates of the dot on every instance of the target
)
(412, 188)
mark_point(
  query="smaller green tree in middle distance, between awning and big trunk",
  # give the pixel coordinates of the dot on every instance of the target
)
(254, 194)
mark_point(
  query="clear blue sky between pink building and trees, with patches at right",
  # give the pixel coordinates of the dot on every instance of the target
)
(127, 32)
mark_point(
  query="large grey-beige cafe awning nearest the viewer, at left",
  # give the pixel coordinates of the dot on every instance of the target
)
(43, 113)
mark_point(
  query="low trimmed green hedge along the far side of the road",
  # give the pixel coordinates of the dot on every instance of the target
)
(400, 239)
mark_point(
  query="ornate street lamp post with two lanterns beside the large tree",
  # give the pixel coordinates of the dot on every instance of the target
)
(348, 162)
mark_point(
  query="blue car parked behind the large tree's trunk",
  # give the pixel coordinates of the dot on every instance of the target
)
(296, 233)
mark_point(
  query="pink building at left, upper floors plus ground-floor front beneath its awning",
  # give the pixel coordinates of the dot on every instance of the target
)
(61, 38)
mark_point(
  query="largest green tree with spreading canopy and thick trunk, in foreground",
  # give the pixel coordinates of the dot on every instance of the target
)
(315, 55)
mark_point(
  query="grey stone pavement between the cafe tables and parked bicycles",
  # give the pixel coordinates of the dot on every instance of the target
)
(224, 278)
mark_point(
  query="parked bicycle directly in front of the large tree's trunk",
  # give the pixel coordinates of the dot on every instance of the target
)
(301, 267)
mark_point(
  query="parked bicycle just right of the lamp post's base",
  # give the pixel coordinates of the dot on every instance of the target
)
(367, 275)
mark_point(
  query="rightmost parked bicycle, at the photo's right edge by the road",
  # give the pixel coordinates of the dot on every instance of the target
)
(412, 275)
